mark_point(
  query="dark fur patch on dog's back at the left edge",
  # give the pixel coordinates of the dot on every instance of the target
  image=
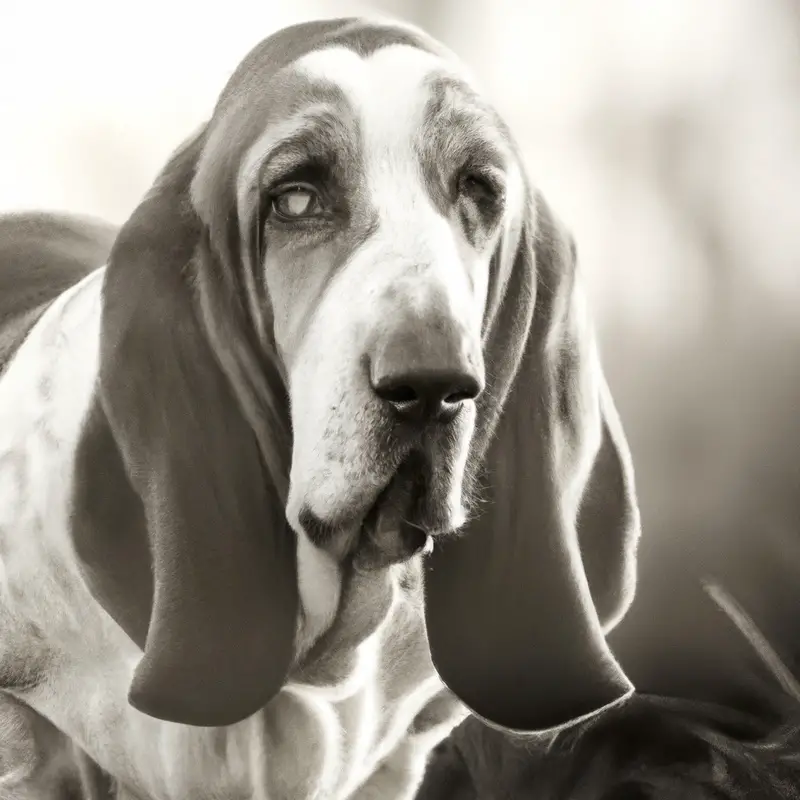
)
(41, 256)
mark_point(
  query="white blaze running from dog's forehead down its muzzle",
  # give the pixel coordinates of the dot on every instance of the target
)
(414, 249)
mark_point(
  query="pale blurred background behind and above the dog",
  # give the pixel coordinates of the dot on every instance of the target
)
(666, 134)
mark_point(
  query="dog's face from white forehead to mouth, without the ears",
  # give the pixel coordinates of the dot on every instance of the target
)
(376, 206)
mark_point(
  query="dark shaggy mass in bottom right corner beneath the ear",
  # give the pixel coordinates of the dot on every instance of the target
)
(651, 747)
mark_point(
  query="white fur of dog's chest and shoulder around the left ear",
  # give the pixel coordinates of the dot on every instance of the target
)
(74, 664)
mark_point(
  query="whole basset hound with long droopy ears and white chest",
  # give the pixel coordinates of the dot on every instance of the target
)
(318, 458)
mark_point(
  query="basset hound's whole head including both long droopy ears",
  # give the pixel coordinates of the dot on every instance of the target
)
(343, 305)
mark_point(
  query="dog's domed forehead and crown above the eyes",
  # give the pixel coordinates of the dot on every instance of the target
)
(314, 90)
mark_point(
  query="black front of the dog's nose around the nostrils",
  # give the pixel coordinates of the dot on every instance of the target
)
(421, 395)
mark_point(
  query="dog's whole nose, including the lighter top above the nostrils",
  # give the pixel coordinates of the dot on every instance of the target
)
(426, 375)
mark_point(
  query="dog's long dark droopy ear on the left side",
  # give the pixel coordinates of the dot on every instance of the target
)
(183, 538)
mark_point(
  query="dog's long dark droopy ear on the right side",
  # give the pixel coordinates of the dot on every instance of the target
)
(512, 601)
